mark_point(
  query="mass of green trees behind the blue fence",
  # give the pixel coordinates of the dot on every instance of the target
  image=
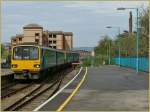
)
(126, 41)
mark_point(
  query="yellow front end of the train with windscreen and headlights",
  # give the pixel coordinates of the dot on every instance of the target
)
(25, 62)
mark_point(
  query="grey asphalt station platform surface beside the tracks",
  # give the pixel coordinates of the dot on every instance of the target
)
(106, 88)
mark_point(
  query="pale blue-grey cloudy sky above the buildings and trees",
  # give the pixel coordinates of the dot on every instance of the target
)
(86, 19)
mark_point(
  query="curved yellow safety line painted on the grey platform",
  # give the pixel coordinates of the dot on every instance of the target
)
(72, 94)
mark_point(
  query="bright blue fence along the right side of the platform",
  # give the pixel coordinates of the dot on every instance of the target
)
(131, 62)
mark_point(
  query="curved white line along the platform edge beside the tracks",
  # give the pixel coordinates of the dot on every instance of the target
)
(39, 107)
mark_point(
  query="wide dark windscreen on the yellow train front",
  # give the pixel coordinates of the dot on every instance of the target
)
(25, 53)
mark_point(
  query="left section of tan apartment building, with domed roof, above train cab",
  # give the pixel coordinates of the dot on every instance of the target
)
(32, 33)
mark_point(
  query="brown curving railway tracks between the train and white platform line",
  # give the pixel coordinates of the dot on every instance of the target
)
(19, 98)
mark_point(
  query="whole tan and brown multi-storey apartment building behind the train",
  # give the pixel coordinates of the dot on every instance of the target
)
(33, 33)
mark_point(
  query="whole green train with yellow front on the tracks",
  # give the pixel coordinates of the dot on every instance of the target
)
(32, 61)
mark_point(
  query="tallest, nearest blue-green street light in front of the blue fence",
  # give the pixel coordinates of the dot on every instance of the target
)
(137, 35)
